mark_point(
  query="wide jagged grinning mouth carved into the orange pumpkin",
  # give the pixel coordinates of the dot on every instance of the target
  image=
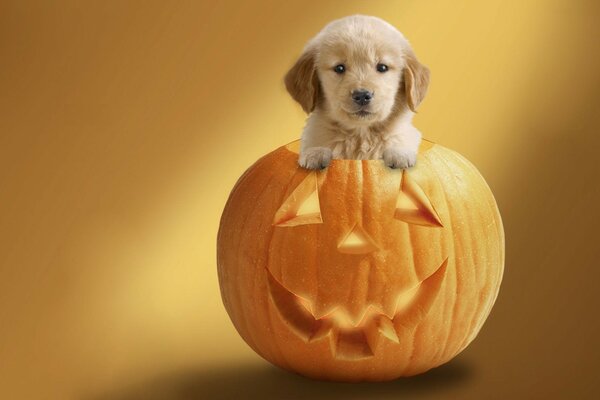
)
(356, 340)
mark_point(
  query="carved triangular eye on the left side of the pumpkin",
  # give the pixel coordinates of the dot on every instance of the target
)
(302, 206)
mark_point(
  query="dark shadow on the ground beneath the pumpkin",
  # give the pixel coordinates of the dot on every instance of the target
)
(264, 381)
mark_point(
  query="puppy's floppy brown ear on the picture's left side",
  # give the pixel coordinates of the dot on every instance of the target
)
(302, 81)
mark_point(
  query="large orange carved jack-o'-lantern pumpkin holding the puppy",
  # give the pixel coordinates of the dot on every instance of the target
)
(360, 272)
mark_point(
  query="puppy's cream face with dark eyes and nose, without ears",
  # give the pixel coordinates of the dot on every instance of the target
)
(359, 79)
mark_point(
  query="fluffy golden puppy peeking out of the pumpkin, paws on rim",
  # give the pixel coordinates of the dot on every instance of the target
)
(361, 83)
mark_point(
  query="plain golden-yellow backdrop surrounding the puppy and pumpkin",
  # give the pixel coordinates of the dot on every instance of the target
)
(124, 125)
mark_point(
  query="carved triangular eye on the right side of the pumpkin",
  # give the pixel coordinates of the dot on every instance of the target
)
(413, 206)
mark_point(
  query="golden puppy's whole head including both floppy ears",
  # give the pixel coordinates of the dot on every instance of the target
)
(359, 70)
